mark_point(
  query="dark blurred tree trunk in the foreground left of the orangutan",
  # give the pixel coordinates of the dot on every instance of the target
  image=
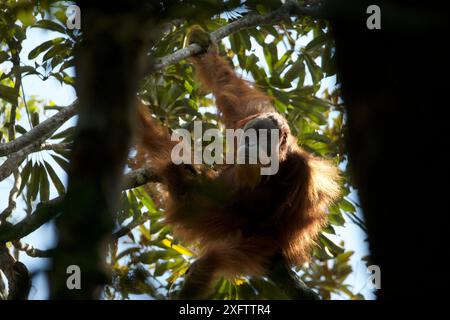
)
(109, 65)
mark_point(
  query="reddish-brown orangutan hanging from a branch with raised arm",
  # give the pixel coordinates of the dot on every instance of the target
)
(240, 219)
